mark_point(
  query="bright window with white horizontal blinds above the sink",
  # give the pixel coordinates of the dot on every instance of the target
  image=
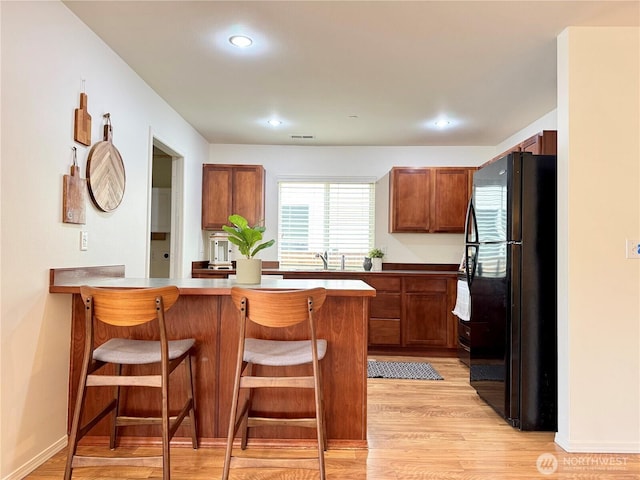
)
(336, 217)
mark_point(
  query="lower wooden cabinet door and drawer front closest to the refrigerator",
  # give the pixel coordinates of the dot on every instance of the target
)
(426, 320)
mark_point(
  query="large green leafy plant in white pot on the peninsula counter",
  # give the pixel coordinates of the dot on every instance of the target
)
(246, 238)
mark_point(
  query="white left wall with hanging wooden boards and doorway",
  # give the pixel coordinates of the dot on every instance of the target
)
(46, 51)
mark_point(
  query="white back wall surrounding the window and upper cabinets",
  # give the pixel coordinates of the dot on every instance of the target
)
(358, 161)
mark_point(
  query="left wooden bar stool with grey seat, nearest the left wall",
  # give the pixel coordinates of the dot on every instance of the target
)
(129, 308)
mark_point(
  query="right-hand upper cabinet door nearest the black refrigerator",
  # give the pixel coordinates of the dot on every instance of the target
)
(450, 197)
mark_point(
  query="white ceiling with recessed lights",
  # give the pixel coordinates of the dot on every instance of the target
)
(490, 67)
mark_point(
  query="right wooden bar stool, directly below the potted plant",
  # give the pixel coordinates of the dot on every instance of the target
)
(272, 309)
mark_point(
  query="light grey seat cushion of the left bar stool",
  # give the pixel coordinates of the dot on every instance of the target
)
(139, 352)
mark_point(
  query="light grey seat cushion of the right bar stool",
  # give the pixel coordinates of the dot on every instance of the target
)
(277, 353)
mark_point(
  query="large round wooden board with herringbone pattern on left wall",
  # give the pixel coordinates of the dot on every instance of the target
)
(105, 173)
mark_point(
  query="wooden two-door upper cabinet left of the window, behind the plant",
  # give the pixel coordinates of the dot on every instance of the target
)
(231, 189)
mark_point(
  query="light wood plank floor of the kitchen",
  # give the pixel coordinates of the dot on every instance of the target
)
(417, 430)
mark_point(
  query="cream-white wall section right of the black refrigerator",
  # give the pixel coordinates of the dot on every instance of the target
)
(599, 207)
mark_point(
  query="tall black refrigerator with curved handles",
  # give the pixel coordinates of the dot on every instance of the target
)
(510, 247)
